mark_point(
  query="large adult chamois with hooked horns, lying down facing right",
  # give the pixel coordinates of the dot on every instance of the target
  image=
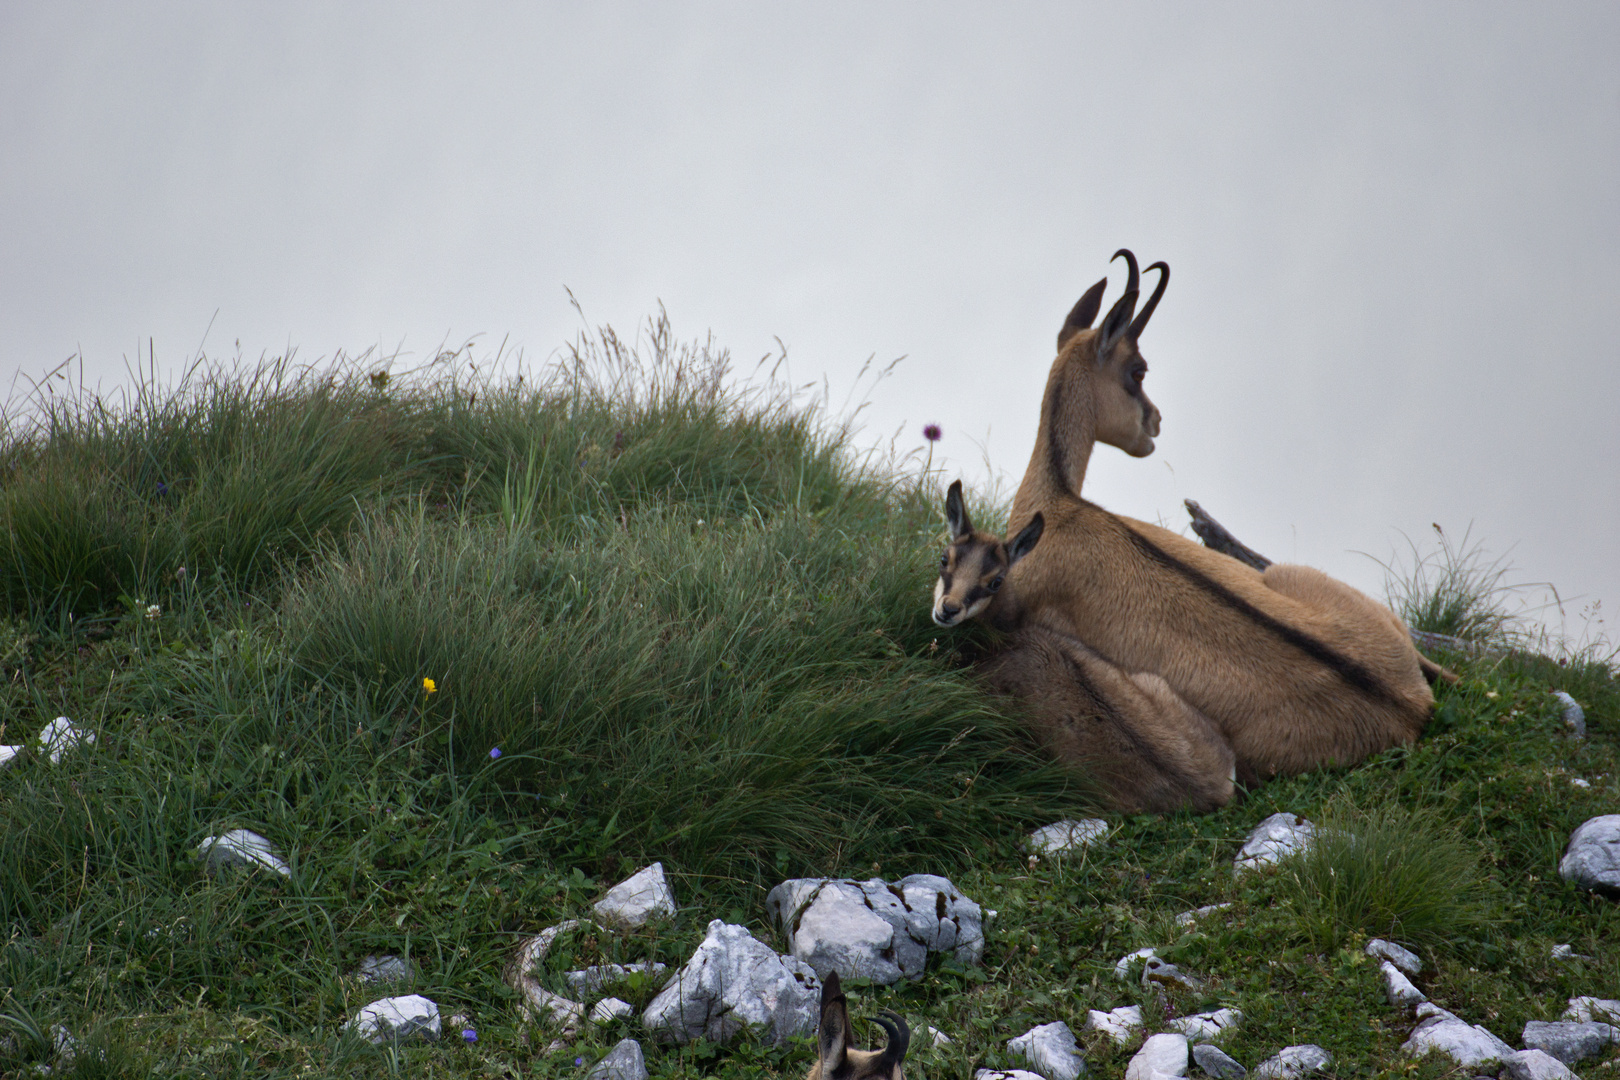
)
(1297, 670)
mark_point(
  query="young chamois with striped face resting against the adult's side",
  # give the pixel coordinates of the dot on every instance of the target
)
(1148, 750)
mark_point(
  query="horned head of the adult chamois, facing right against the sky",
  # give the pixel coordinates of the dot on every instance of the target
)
(1098, 380)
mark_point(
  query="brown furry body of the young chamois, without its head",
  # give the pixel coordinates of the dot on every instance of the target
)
(1148, 749)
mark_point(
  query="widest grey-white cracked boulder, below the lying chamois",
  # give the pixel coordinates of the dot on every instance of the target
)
(872, 929)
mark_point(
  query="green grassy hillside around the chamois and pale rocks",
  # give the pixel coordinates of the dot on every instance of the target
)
(662, 619)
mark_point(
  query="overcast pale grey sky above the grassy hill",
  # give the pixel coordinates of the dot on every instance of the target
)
(1394, 227)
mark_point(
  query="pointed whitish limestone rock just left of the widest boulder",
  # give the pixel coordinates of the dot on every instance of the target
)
(736, 982)
